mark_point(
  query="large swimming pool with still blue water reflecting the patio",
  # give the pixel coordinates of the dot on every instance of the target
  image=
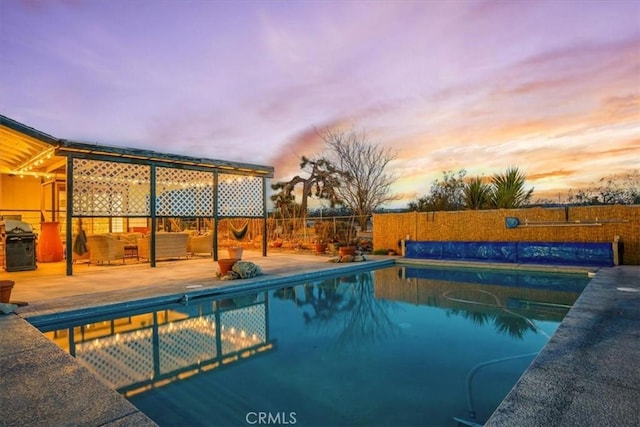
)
(395, 346)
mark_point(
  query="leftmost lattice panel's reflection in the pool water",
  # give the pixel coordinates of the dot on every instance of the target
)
(120, 360)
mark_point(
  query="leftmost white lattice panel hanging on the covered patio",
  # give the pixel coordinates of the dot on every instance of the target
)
(110, 188)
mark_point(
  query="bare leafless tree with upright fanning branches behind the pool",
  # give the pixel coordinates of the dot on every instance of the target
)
(365, 185)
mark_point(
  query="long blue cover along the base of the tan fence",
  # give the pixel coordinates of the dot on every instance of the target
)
(555, 253)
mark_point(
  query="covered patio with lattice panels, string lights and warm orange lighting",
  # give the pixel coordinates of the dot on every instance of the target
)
(154, 204)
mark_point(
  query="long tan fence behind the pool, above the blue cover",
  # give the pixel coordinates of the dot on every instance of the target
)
(562, 224)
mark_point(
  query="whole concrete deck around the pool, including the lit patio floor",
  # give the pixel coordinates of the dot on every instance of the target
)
(588, 373)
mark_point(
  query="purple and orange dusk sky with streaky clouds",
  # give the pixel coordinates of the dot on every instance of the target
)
(552, 87)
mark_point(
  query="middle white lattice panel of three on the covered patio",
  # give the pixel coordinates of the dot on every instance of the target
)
(182, 192)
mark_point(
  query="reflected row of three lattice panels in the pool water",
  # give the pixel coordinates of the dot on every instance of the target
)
(136, 358)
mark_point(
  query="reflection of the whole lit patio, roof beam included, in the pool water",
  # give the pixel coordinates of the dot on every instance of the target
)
(142, 351)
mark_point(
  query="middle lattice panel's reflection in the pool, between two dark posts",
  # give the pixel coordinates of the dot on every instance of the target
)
(187, 342)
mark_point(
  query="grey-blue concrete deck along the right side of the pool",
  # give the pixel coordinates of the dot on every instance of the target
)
(588, 374)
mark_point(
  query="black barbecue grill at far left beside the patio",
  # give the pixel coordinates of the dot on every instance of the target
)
(20, 246)
